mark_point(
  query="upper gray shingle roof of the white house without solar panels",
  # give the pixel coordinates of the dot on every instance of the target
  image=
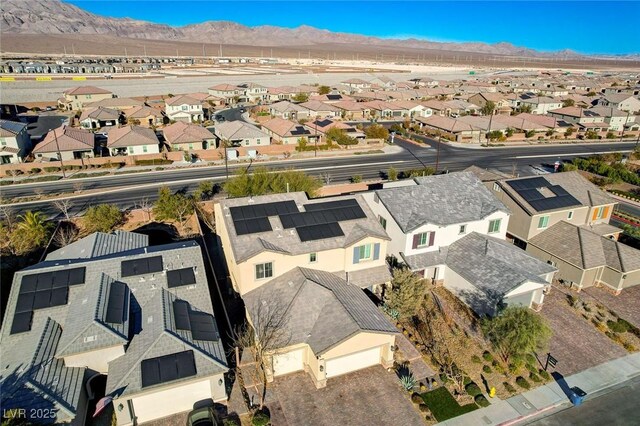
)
(441, 200)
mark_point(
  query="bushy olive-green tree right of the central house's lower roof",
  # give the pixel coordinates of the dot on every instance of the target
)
(407, 293)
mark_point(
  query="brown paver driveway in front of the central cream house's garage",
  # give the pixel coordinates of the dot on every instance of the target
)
(367, 397)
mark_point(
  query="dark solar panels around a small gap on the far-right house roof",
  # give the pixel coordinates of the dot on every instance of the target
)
(528, 189)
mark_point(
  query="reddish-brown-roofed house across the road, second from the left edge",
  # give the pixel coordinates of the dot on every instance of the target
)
(65, 143)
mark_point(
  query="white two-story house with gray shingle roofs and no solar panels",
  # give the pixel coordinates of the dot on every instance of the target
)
(451, 229)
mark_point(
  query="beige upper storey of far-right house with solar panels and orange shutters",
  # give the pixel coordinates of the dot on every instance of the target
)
(538, 203)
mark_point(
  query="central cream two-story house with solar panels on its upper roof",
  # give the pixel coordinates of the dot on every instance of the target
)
(310, 260)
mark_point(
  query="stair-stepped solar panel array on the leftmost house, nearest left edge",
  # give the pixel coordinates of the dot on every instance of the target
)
(43, 290)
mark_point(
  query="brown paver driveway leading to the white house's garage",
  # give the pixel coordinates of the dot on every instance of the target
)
(575, 343)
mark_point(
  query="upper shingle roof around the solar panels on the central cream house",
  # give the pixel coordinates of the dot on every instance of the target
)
(287, 240)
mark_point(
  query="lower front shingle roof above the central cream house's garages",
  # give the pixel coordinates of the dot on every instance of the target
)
(323, 310)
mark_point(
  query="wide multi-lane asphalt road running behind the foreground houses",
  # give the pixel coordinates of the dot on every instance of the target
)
(124, 190)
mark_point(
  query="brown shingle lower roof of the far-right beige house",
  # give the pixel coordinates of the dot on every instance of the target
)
(585, 249)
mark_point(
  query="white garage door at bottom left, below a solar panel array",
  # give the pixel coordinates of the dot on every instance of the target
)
(167, 402)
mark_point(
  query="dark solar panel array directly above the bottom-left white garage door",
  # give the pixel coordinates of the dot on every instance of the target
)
(167, 368)
